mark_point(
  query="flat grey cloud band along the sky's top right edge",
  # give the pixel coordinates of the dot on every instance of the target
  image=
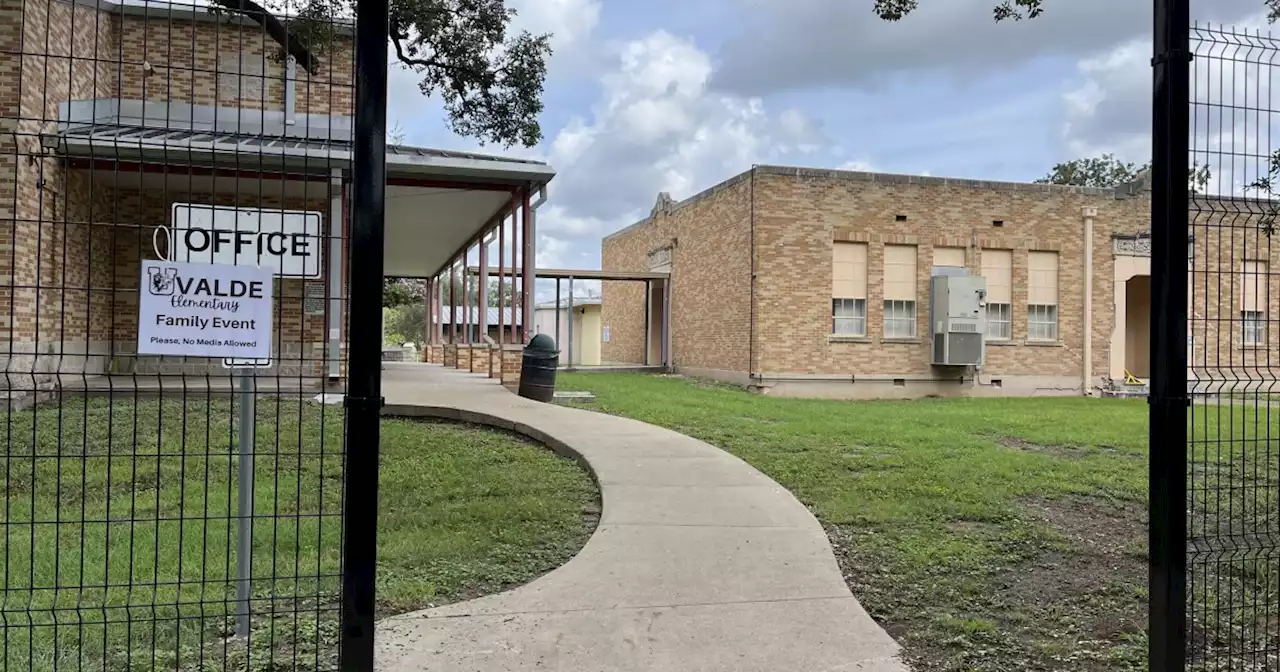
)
(787, 45)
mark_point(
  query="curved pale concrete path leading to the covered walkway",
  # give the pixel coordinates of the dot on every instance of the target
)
(700, 564)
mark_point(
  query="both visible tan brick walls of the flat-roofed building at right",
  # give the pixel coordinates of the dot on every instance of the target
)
(796, 220)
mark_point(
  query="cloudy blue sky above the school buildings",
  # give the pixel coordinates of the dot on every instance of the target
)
(665, 95)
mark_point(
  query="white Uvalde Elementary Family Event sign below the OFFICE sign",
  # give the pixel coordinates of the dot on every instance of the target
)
(205, 310)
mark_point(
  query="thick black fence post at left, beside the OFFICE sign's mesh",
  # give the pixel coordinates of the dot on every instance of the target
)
(364, 388)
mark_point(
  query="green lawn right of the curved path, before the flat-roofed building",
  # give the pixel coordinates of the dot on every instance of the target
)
(985, 534)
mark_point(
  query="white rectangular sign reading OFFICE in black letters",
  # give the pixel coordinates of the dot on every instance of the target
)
(289, 243)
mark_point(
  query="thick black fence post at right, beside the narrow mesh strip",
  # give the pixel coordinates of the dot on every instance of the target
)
(1169, 397)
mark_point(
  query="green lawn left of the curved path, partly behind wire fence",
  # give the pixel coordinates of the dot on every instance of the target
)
(118, 547)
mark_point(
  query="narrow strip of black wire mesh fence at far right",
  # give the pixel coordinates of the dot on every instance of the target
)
(1233, 356)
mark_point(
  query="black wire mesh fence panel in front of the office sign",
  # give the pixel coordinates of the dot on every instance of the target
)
(173, 248)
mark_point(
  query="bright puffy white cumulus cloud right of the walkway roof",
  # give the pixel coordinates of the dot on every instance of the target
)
(657, 127)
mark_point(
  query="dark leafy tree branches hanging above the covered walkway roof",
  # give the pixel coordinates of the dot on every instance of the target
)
(491, 83)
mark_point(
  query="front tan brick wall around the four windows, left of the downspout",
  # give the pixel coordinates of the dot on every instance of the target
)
(797, 220)
